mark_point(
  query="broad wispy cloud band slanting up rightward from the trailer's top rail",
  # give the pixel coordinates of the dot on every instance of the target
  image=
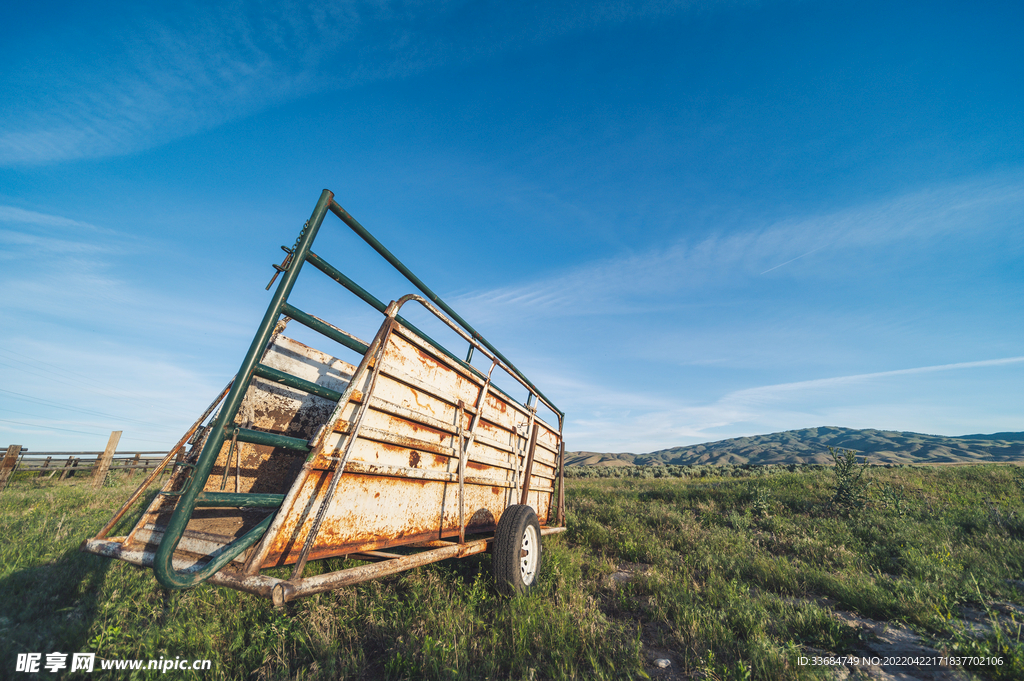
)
(647, 282)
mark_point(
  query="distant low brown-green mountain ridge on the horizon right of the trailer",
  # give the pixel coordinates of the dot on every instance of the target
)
(810, 446)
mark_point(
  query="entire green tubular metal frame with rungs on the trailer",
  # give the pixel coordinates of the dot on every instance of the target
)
(192, 496)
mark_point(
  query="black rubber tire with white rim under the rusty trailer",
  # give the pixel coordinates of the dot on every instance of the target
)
(518, 531)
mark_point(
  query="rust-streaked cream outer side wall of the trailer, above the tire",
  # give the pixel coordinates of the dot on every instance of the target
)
(401, 483)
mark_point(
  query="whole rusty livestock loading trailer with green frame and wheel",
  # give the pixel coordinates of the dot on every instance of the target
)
(409, 457)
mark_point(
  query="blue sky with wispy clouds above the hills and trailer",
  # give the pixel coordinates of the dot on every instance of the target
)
(685, 222)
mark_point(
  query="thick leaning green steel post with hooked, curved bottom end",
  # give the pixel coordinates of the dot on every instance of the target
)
(166, 574)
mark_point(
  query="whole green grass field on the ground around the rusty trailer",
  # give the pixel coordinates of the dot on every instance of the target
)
(733, 577)
